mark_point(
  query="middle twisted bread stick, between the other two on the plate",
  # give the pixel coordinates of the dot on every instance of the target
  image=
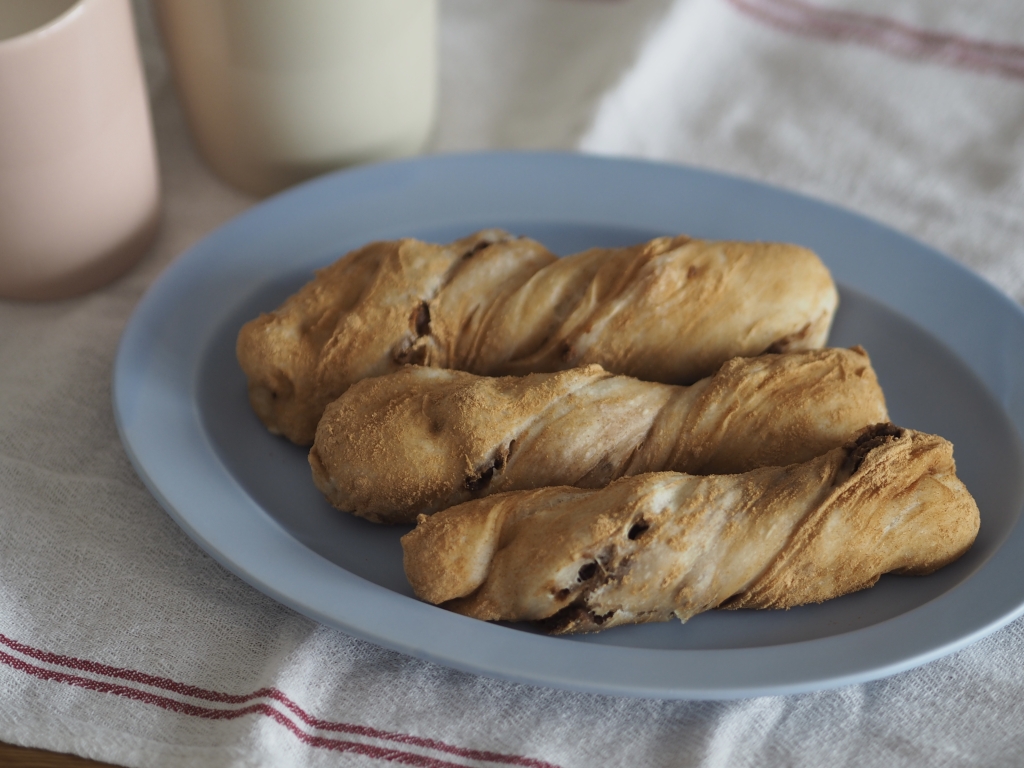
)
(422, 440)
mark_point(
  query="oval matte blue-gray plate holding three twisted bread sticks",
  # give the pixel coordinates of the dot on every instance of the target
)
(949, 350)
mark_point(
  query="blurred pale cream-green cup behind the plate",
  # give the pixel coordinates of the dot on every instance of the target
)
(277, 92)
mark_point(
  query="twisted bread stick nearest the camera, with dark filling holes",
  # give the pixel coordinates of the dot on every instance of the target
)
(648, 548)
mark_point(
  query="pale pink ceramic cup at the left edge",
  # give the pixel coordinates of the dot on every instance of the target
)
(79, 189)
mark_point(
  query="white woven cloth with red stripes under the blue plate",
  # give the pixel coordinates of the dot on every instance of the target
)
(122, 642)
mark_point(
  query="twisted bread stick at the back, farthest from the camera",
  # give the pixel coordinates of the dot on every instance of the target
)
(673, 311)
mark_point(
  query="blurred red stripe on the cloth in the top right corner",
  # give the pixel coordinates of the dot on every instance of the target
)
(888, 35)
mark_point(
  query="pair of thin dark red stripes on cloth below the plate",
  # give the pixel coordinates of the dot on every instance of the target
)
(210, 696)
